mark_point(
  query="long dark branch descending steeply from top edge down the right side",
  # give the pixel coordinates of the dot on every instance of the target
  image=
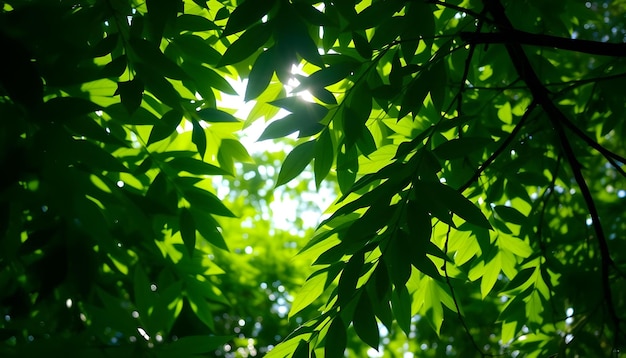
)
(542, 96)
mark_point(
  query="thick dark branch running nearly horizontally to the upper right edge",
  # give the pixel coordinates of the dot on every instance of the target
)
(511, 36)
